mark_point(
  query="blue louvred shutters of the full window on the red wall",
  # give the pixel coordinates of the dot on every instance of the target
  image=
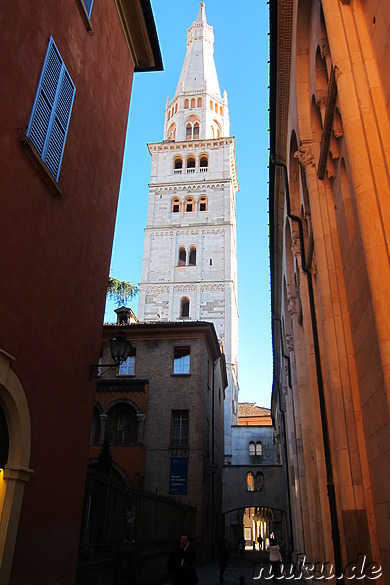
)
(49, 122)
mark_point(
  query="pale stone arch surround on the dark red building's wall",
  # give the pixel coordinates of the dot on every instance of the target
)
(16, 471)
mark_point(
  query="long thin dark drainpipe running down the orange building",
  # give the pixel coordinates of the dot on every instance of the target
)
(320, 384)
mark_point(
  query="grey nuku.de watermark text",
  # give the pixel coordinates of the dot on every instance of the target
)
(359, 569)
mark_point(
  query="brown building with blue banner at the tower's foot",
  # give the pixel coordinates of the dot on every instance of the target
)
(162, 414)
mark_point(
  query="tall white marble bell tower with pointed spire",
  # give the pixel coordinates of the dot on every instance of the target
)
(189, 269)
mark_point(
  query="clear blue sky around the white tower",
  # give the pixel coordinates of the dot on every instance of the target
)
(241, 52)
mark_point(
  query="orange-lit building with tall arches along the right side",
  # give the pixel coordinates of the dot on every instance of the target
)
(329, 218)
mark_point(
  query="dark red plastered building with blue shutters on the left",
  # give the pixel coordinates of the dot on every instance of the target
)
(66, 76)
